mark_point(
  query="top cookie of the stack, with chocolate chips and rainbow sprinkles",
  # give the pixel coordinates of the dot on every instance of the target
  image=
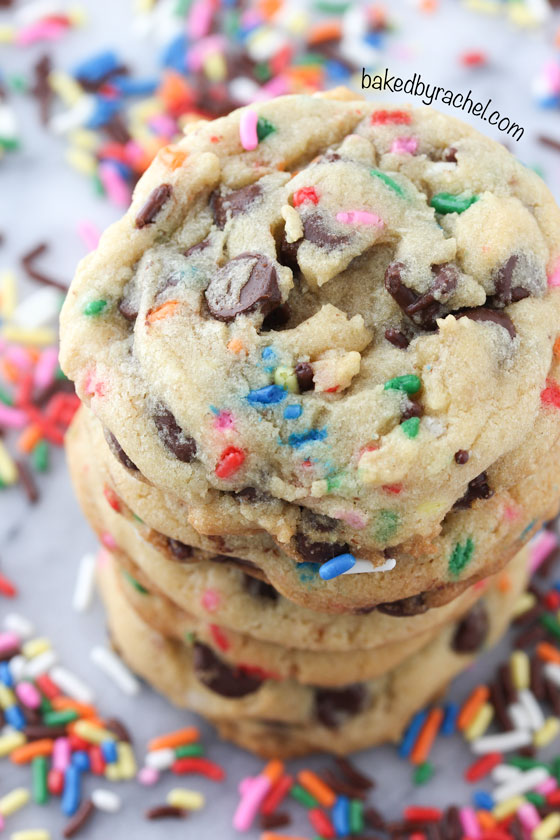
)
(320, 309)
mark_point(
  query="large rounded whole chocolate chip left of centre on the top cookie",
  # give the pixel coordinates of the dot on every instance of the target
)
(244, 284)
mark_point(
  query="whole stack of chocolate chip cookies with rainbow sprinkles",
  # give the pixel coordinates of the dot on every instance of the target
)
(321, 413)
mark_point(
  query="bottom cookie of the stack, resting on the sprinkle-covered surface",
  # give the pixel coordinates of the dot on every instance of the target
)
(295, 719)
